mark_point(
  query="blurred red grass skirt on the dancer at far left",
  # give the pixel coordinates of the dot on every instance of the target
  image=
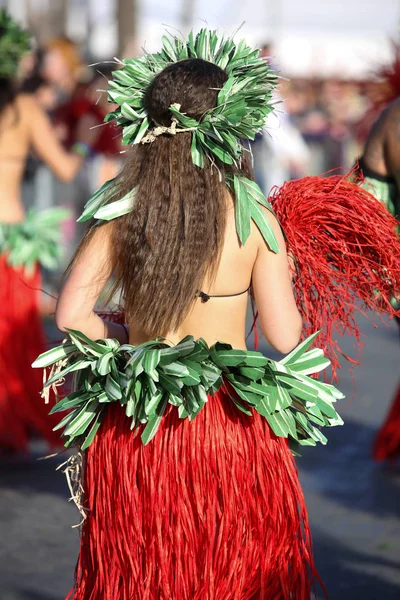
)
(22, 410)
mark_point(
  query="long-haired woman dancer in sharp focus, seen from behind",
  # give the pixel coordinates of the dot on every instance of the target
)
(191, 491)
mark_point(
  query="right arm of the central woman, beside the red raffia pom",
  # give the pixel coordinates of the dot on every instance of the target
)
(280, 319)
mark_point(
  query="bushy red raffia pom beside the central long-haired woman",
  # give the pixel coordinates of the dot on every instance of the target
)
(347, 255)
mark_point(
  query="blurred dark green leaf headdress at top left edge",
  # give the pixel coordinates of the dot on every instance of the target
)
(14, 43)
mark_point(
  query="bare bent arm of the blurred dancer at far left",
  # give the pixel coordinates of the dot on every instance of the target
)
(46, 144)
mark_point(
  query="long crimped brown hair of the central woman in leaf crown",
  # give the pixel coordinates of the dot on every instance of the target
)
(172, 239)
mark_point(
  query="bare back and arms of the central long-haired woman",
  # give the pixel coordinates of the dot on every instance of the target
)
(219, 319)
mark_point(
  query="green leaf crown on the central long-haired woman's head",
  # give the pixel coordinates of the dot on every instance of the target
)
(243, 103)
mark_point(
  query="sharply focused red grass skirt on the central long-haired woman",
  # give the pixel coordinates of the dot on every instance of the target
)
(210, 509)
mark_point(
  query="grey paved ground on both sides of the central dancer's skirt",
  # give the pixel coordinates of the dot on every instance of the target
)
(354, 505)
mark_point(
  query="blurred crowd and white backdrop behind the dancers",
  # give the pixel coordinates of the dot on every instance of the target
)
(331, 64)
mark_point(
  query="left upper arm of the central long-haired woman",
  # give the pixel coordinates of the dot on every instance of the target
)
(86, 280)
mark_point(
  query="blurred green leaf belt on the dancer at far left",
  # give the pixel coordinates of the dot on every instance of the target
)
(35, 240)
